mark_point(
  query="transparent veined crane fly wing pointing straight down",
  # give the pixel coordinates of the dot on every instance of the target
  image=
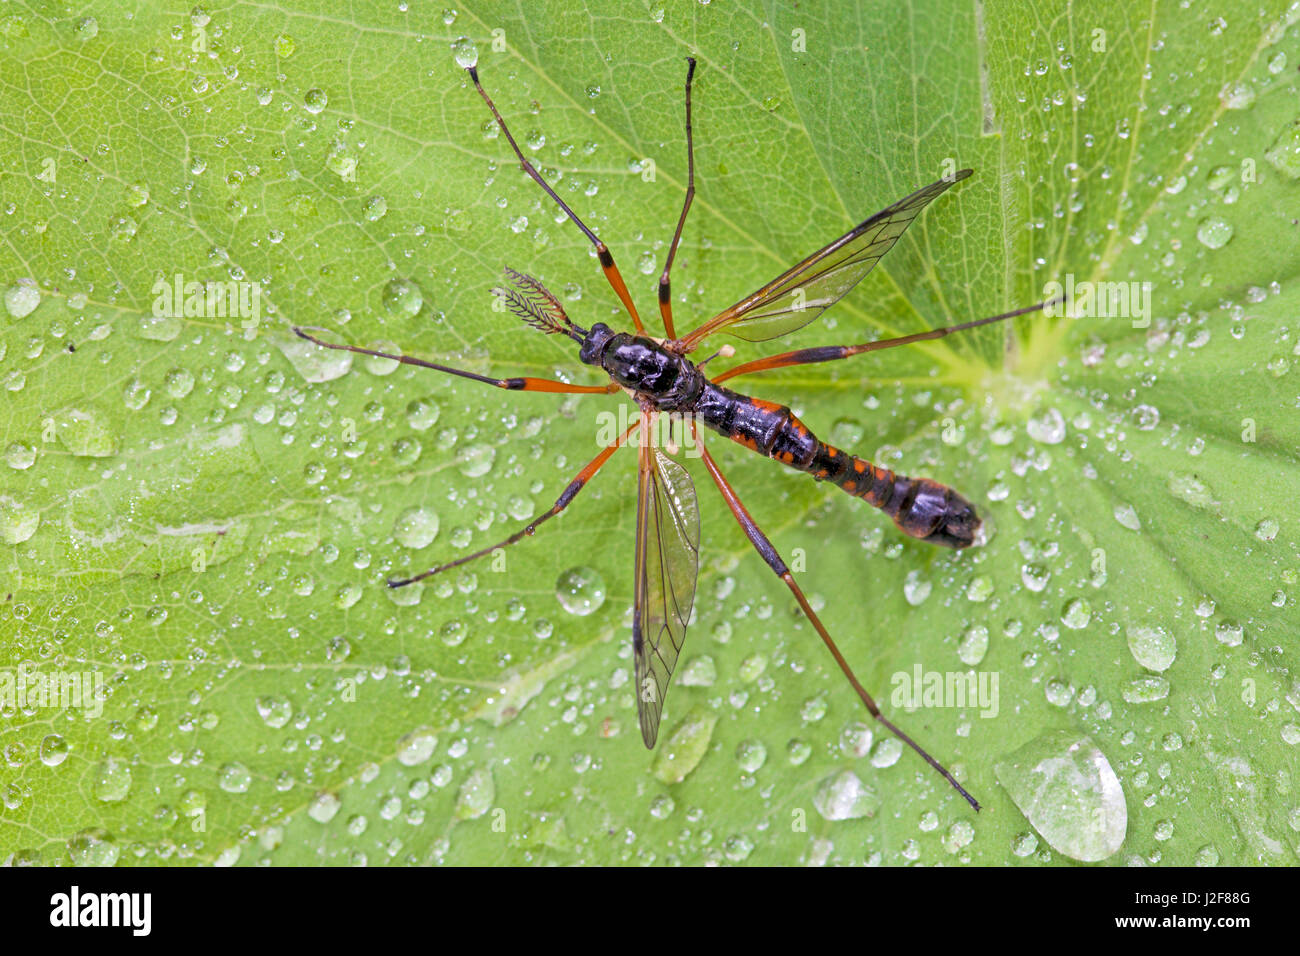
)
(668, 566)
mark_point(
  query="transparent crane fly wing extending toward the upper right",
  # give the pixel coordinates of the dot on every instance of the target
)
(798, 297)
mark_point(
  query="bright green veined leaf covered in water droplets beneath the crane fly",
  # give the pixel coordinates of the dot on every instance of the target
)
(200, 511)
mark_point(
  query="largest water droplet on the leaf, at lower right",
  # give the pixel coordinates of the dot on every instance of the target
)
(1069, 793)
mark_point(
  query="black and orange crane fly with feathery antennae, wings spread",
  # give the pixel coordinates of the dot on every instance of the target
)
(664, 382)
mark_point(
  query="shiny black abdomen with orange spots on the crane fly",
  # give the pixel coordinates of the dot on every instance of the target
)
(921, 508)
